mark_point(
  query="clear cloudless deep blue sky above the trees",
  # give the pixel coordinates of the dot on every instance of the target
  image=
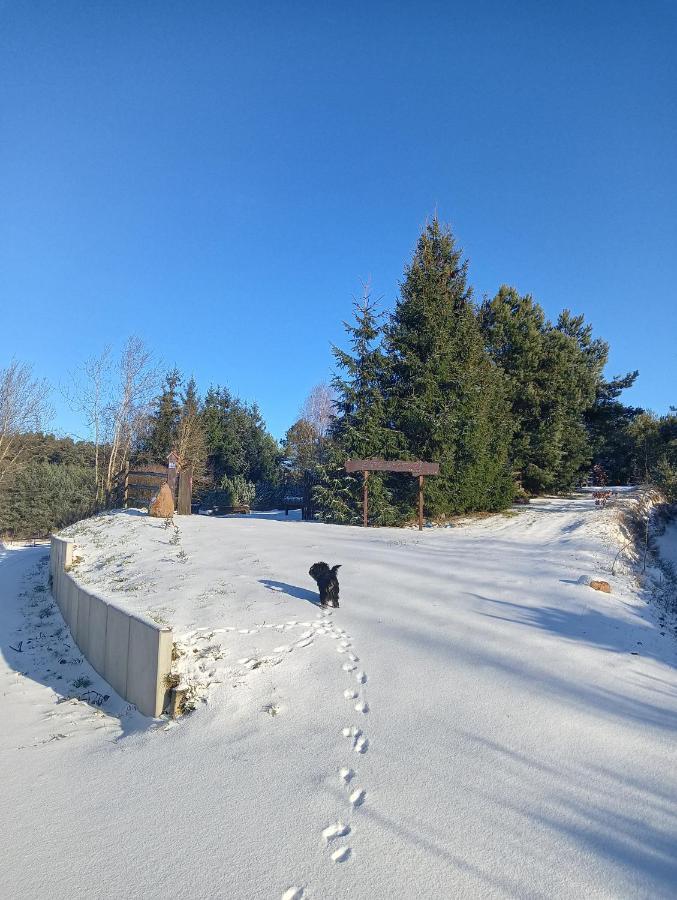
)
(219, 178)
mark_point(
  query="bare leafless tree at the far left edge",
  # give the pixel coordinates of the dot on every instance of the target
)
(23, 408)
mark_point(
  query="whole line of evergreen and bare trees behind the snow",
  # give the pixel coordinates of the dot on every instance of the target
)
(510, 404)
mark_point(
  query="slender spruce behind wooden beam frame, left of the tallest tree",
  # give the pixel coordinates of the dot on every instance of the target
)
(360, 428)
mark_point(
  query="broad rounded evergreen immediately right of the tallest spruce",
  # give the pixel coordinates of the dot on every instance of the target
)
(563, 410)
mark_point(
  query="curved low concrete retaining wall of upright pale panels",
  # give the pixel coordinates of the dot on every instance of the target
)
(132, 653)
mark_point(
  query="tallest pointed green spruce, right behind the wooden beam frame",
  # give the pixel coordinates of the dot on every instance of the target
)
(448, 397)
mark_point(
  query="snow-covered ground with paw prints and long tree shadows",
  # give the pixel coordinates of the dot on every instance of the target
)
(471, 722)
